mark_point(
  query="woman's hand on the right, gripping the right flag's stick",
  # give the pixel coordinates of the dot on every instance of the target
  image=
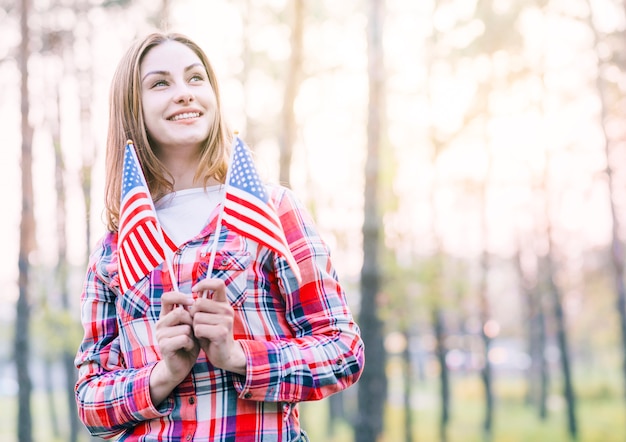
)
(213, 319)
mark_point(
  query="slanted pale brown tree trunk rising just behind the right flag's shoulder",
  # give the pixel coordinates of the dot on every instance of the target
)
(289, 129)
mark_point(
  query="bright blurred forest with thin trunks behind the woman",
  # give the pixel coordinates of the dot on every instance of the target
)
(464, 159)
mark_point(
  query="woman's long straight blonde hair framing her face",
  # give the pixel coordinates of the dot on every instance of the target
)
(126, 122)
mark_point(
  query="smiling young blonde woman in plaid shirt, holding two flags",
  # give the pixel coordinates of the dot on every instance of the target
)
(161, 362)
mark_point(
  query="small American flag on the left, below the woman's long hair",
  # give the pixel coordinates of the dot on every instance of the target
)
(141, 242)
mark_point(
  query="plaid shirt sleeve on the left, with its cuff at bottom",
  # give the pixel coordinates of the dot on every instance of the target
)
(110, 397)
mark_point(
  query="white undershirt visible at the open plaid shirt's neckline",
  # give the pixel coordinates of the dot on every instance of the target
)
(184, 214)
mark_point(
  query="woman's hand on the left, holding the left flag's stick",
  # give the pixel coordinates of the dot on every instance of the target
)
(177, 344)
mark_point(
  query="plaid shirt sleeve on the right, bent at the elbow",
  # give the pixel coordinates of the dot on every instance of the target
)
(326, 354)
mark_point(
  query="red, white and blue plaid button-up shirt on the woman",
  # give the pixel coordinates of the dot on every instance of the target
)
(301, 342)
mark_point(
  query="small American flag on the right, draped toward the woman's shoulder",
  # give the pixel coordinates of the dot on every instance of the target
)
(248, 210)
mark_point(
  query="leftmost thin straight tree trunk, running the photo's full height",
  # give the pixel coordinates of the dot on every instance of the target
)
(27, 235)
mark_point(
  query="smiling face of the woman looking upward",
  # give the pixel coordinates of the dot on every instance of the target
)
(178, 102)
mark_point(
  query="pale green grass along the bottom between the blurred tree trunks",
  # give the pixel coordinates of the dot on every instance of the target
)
(601, 416)
